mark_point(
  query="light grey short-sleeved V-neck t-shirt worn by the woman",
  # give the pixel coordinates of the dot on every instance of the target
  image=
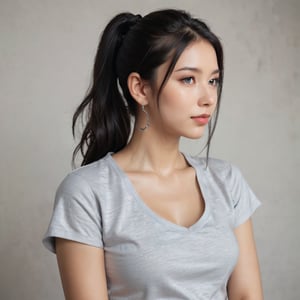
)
(146, 256)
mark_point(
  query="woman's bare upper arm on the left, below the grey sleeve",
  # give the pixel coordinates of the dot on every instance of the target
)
(82, 270)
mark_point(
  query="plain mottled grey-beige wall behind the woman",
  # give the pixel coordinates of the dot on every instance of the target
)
(46, 55)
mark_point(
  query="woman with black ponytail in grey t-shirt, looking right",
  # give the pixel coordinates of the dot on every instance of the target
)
(140, 219)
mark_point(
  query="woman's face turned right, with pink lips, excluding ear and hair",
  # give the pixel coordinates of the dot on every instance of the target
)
(189, 97)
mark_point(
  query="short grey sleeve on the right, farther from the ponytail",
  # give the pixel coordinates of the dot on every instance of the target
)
(244, 200)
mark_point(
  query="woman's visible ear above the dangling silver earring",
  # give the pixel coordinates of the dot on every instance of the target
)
(138, 88)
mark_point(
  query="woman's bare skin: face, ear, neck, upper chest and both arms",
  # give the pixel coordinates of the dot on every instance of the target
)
(152, 157)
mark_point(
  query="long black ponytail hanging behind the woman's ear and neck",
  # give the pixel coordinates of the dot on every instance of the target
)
(107, 127)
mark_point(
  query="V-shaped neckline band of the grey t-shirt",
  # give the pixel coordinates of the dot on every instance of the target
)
(202, 184)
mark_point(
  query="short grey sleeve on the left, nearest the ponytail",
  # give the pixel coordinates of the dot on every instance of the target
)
(76, 214)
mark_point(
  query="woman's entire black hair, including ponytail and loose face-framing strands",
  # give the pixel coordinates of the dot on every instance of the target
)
(131, 43)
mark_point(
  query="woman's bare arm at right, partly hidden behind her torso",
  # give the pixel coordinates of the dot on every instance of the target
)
(245, 281)
